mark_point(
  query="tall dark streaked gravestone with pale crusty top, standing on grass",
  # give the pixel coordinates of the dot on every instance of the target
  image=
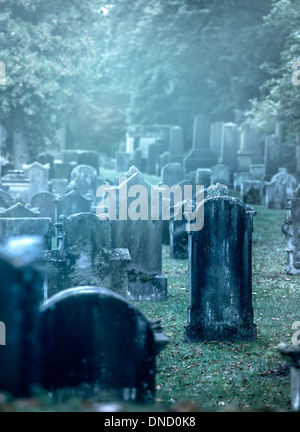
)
(221, 272)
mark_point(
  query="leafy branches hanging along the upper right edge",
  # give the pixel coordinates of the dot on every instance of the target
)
(279, 97)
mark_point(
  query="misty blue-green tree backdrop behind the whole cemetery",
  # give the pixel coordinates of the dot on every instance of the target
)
(101, 68)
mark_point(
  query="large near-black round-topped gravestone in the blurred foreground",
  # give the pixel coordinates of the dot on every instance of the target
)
(92, 336)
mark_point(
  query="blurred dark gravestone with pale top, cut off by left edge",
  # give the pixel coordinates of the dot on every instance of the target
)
(21, 292)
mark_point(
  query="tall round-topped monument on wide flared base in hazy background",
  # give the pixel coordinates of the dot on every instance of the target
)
(200, 156)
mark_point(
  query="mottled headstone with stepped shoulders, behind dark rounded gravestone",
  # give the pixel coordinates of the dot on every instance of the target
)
(86, 256)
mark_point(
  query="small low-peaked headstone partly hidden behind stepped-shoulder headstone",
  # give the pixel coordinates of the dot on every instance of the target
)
(72, 203)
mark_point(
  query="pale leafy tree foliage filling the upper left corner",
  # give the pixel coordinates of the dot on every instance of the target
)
(49, 52)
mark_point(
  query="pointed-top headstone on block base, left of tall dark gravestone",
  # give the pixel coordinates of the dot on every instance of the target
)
(146, 280)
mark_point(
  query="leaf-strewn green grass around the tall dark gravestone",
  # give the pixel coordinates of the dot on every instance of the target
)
(232, 376)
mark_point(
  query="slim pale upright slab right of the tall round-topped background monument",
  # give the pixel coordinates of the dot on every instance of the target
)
(230, 146)
